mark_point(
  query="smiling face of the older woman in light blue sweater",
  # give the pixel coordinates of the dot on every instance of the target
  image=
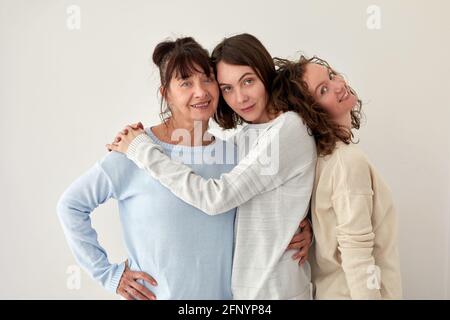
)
(194, 98)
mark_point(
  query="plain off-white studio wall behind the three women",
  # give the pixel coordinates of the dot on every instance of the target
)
(73, 73)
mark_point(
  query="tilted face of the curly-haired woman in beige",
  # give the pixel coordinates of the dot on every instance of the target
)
(329, 90)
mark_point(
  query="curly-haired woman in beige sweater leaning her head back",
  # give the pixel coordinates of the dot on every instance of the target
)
(355, 255)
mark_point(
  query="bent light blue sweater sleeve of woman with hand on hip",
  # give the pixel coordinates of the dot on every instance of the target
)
(74, 208)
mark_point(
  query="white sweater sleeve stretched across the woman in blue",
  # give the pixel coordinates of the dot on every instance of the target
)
(282, 152)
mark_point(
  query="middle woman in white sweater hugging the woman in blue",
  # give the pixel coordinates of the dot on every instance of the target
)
(271, 185)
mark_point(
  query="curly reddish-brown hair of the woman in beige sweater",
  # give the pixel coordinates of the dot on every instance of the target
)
(290, 92)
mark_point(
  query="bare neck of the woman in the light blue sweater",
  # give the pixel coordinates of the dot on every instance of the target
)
(187, 133)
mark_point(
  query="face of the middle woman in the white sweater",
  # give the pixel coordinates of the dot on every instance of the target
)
(243, 91)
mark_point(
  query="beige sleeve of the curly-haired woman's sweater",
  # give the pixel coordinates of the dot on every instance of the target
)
(353, 205)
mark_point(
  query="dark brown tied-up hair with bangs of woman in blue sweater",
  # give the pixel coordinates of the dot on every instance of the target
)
(179, 58)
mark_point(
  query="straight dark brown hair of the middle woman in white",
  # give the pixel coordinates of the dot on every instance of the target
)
(246, 50)
